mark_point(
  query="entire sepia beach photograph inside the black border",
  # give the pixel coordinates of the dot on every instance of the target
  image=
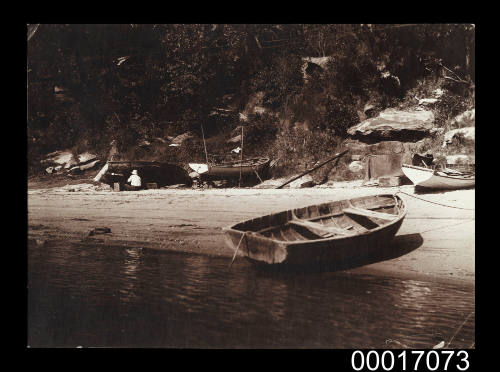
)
(252, 186)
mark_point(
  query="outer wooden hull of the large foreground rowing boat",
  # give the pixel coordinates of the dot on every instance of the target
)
(367, 246)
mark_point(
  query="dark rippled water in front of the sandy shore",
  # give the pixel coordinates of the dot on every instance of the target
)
(119, 297)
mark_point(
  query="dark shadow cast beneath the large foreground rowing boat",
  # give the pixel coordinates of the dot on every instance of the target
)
(399, 246)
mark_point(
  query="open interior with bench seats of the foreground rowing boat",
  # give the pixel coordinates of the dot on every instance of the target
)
(328, 220)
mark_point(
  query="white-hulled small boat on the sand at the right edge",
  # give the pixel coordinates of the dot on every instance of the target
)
(433, 179)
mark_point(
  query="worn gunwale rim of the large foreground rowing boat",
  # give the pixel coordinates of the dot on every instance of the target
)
(401, 215)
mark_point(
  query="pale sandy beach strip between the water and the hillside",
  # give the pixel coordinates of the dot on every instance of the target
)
(192, 220)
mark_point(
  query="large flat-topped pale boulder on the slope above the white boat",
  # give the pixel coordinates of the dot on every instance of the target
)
(392, 124)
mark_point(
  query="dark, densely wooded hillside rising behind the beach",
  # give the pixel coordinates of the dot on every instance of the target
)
(91, 84)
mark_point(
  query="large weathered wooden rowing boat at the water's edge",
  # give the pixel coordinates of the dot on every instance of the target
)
(336, 232)
